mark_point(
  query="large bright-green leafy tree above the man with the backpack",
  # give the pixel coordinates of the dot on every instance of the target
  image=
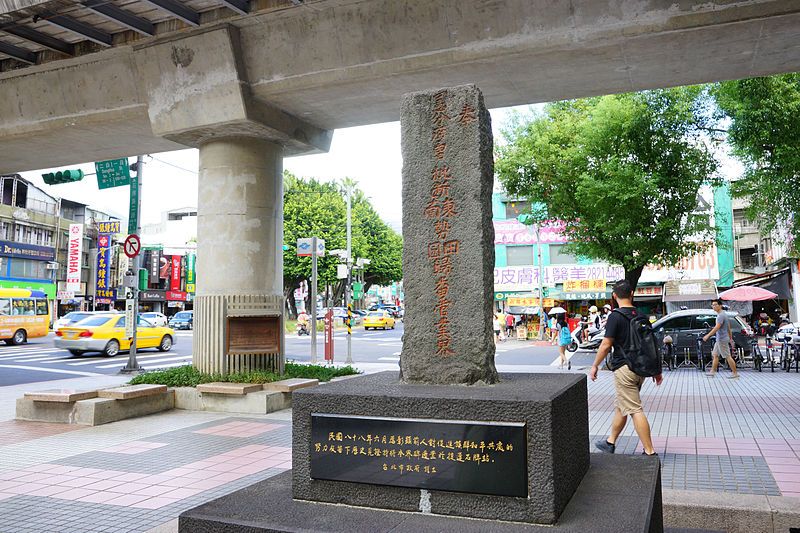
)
(622, 172)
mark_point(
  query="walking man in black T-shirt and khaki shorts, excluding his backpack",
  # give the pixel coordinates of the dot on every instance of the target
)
(627, 384)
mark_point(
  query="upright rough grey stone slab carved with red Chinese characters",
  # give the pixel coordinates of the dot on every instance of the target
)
(448, 258)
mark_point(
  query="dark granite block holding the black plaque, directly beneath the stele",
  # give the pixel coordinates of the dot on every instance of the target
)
(552, 458)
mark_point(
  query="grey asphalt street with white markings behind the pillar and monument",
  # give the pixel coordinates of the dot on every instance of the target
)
(40, 361)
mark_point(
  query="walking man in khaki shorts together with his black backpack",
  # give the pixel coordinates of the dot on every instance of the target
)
(635, 356)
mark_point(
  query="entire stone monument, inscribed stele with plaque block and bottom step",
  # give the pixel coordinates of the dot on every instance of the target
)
(447, 441)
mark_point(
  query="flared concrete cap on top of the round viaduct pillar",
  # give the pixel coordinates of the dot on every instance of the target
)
(197, 90)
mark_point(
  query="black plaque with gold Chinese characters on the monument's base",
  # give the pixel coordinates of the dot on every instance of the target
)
(459, 456)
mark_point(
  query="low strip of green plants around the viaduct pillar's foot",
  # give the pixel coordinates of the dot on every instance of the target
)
(189, 376)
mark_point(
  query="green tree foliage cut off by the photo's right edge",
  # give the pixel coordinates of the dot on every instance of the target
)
(763, 133)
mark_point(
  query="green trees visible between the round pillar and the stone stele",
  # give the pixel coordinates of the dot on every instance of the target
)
(312, 208)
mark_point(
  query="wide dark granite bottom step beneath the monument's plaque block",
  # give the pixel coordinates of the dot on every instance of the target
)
(618, 493)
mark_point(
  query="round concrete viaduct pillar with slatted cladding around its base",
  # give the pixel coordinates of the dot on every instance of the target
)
(239, 256)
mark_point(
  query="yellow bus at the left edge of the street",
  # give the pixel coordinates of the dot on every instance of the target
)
(24, 314)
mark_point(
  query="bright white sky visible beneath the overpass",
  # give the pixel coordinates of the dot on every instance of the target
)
(368, 154)
